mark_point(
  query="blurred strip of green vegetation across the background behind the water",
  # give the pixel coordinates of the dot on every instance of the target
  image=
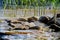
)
(29, 3)
